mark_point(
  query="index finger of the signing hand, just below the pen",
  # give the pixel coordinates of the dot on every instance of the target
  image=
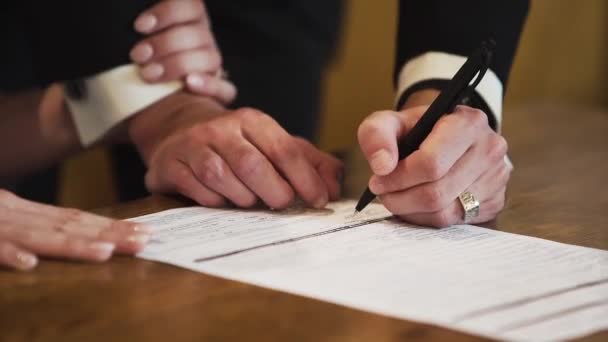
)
(449, 140)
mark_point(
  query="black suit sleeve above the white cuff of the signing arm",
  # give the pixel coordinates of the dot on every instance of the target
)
(458, 27)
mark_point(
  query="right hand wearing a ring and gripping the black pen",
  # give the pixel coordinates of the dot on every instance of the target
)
(459, 172)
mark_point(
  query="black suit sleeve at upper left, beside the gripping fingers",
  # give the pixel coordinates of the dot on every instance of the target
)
(70, 39)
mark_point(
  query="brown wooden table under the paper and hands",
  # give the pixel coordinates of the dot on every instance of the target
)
(559, 191)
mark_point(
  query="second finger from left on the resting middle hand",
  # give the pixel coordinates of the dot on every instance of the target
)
(211, 170)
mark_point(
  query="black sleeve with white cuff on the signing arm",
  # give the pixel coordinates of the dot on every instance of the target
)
(434, 37)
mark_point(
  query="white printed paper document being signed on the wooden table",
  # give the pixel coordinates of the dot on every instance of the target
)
(467, 278)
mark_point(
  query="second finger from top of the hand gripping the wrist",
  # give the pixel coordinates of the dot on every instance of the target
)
(174, 40)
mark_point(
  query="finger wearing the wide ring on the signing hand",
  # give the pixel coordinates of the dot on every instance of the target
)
(489, 190)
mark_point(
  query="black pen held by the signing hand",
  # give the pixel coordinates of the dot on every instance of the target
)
(458, 88)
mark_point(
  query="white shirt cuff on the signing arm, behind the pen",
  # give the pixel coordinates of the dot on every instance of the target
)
(440, 65)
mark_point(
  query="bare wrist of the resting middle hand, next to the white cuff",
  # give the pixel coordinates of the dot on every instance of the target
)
(171, 115)
